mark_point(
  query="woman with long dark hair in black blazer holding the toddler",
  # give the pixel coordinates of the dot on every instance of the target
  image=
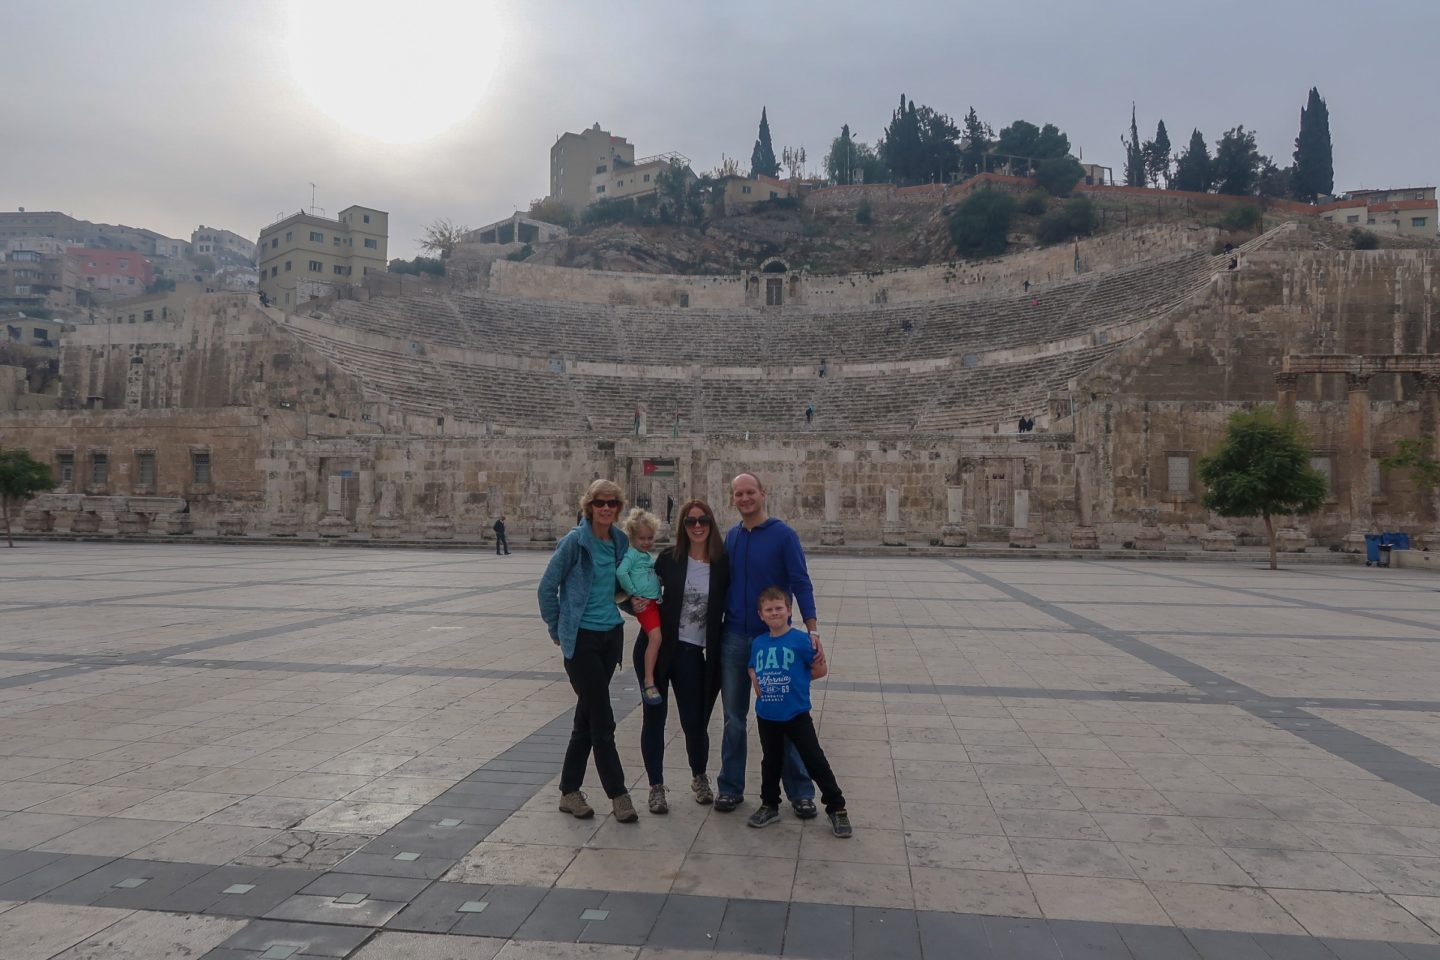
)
(695, 579)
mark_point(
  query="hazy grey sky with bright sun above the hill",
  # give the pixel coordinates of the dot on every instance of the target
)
(174, 113)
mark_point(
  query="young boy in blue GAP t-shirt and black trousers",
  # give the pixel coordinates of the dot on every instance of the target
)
(783, 664)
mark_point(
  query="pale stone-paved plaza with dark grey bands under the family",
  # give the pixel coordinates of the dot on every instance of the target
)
(264, 752)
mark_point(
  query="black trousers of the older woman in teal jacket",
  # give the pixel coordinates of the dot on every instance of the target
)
(597, 656)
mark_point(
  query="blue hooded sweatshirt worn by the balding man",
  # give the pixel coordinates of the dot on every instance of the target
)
(768, 556)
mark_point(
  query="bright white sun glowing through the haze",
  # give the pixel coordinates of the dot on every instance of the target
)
(395, 74)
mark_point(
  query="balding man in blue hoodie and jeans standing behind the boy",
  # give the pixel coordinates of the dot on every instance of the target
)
(764, 553)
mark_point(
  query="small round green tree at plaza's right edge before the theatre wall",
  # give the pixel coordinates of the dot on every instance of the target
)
(1262, 470)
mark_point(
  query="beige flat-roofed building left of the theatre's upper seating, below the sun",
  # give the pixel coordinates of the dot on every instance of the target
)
(305, 255)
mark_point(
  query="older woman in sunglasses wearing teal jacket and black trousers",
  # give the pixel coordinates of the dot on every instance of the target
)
(578, 608)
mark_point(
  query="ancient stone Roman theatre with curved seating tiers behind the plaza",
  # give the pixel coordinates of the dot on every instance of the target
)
(427, 415)
